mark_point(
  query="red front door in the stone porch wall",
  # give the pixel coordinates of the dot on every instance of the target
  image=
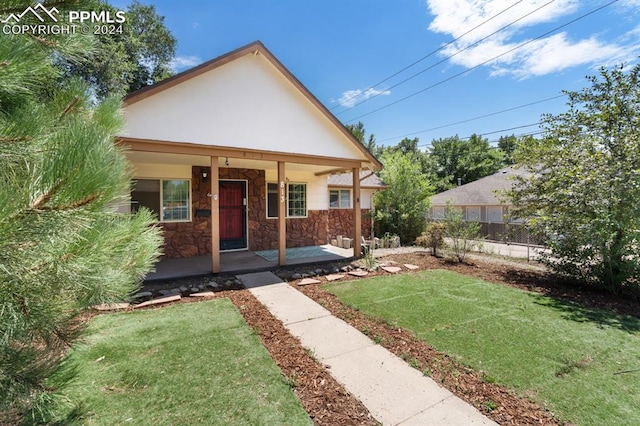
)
(233, 229)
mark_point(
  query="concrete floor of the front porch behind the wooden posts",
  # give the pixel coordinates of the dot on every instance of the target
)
(242, 261)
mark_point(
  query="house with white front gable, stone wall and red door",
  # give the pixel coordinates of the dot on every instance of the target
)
(236, 154)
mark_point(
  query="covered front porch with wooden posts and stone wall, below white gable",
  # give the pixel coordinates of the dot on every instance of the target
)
(262, 216)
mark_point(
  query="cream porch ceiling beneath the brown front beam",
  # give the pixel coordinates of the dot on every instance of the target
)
(204, 161)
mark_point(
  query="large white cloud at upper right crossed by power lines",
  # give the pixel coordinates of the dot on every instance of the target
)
(547, 55)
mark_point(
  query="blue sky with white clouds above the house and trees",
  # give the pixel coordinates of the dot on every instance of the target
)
(340, 48)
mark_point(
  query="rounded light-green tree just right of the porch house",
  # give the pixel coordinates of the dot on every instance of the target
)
(402, 208)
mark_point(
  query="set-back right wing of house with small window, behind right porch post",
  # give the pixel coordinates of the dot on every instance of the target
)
(341, 202)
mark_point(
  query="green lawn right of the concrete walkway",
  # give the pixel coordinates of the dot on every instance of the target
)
(581, 363)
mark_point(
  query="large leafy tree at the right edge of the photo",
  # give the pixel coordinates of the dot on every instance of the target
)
(584, 198)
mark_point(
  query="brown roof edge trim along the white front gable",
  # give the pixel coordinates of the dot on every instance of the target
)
(255, 48)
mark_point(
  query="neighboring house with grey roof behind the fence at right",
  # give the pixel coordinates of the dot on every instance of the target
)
(481, 201)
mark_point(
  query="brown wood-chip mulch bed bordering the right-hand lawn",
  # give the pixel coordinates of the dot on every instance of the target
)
(497, 402)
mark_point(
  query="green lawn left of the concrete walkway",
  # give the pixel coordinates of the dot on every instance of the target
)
(188, 364)
